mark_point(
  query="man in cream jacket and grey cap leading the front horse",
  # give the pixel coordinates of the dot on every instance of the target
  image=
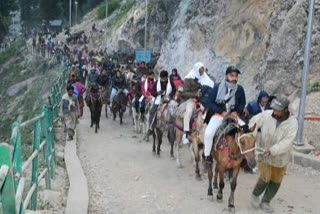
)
(276, 132)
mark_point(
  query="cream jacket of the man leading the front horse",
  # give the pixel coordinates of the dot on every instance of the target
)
(279, 140)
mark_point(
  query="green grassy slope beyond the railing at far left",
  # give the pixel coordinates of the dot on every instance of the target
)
(24, 86)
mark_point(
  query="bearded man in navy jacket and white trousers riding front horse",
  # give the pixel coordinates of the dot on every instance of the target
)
(226, 99)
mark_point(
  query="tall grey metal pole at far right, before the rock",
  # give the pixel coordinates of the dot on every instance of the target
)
(299, 138)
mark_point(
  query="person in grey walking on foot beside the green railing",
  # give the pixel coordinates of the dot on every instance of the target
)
(69, 111)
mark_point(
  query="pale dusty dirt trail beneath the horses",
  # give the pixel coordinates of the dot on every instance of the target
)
(125, 177)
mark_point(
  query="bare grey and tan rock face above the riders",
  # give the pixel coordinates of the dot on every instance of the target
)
(264, 39)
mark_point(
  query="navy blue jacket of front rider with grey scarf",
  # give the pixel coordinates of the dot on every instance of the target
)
(210, 101)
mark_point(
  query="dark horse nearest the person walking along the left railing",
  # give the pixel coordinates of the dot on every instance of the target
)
(94, 101)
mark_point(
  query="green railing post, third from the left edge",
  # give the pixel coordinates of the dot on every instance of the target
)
(35, 163)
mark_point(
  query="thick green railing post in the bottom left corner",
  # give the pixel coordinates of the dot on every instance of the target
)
(8, 197)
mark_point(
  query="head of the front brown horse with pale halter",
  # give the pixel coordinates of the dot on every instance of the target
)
(246, 143)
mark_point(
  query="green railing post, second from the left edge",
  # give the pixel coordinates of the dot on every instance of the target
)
(15, 142)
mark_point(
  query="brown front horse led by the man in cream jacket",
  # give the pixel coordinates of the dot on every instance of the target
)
(231, 146)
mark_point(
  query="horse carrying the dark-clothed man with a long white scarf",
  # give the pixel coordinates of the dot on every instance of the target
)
(164, 122)
